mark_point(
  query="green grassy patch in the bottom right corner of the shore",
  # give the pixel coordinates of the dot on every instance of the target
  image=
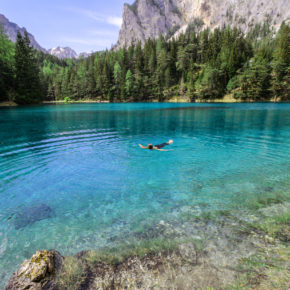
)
(269, 268)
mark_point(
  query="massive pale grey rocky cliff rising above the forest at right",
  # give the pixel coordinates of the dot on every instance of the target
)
(151, 18)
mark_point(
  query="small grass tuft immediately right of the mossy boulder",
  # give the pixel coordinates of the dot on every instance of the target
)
(72, 274)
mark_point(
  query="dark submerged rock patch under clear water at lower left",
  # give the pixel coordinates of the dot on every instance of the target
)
(30, 215)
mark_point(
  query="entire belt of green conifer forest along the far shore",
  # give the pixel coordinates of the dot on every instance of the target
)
(199, 66)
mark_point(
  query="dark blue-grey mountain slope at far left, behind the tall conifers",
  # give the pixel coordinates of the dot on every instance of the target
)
(11, 30)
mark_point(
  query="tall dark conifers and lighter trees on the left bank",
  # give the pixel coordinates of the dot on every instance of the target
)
(24, 71)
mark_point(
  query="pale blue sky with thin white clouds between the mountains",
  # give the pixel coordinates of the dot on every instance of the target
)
(83, 25)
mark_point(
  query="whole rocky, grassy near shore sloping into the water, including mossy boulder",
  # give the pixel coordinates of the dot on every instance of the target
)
(221, 250)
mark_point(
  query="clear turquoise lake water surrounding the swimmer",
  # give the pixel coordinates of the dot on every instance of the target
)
(84, 163)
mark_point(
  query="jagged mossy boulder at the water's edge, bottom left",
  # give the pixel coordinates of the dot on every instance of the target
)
(37, 273)
